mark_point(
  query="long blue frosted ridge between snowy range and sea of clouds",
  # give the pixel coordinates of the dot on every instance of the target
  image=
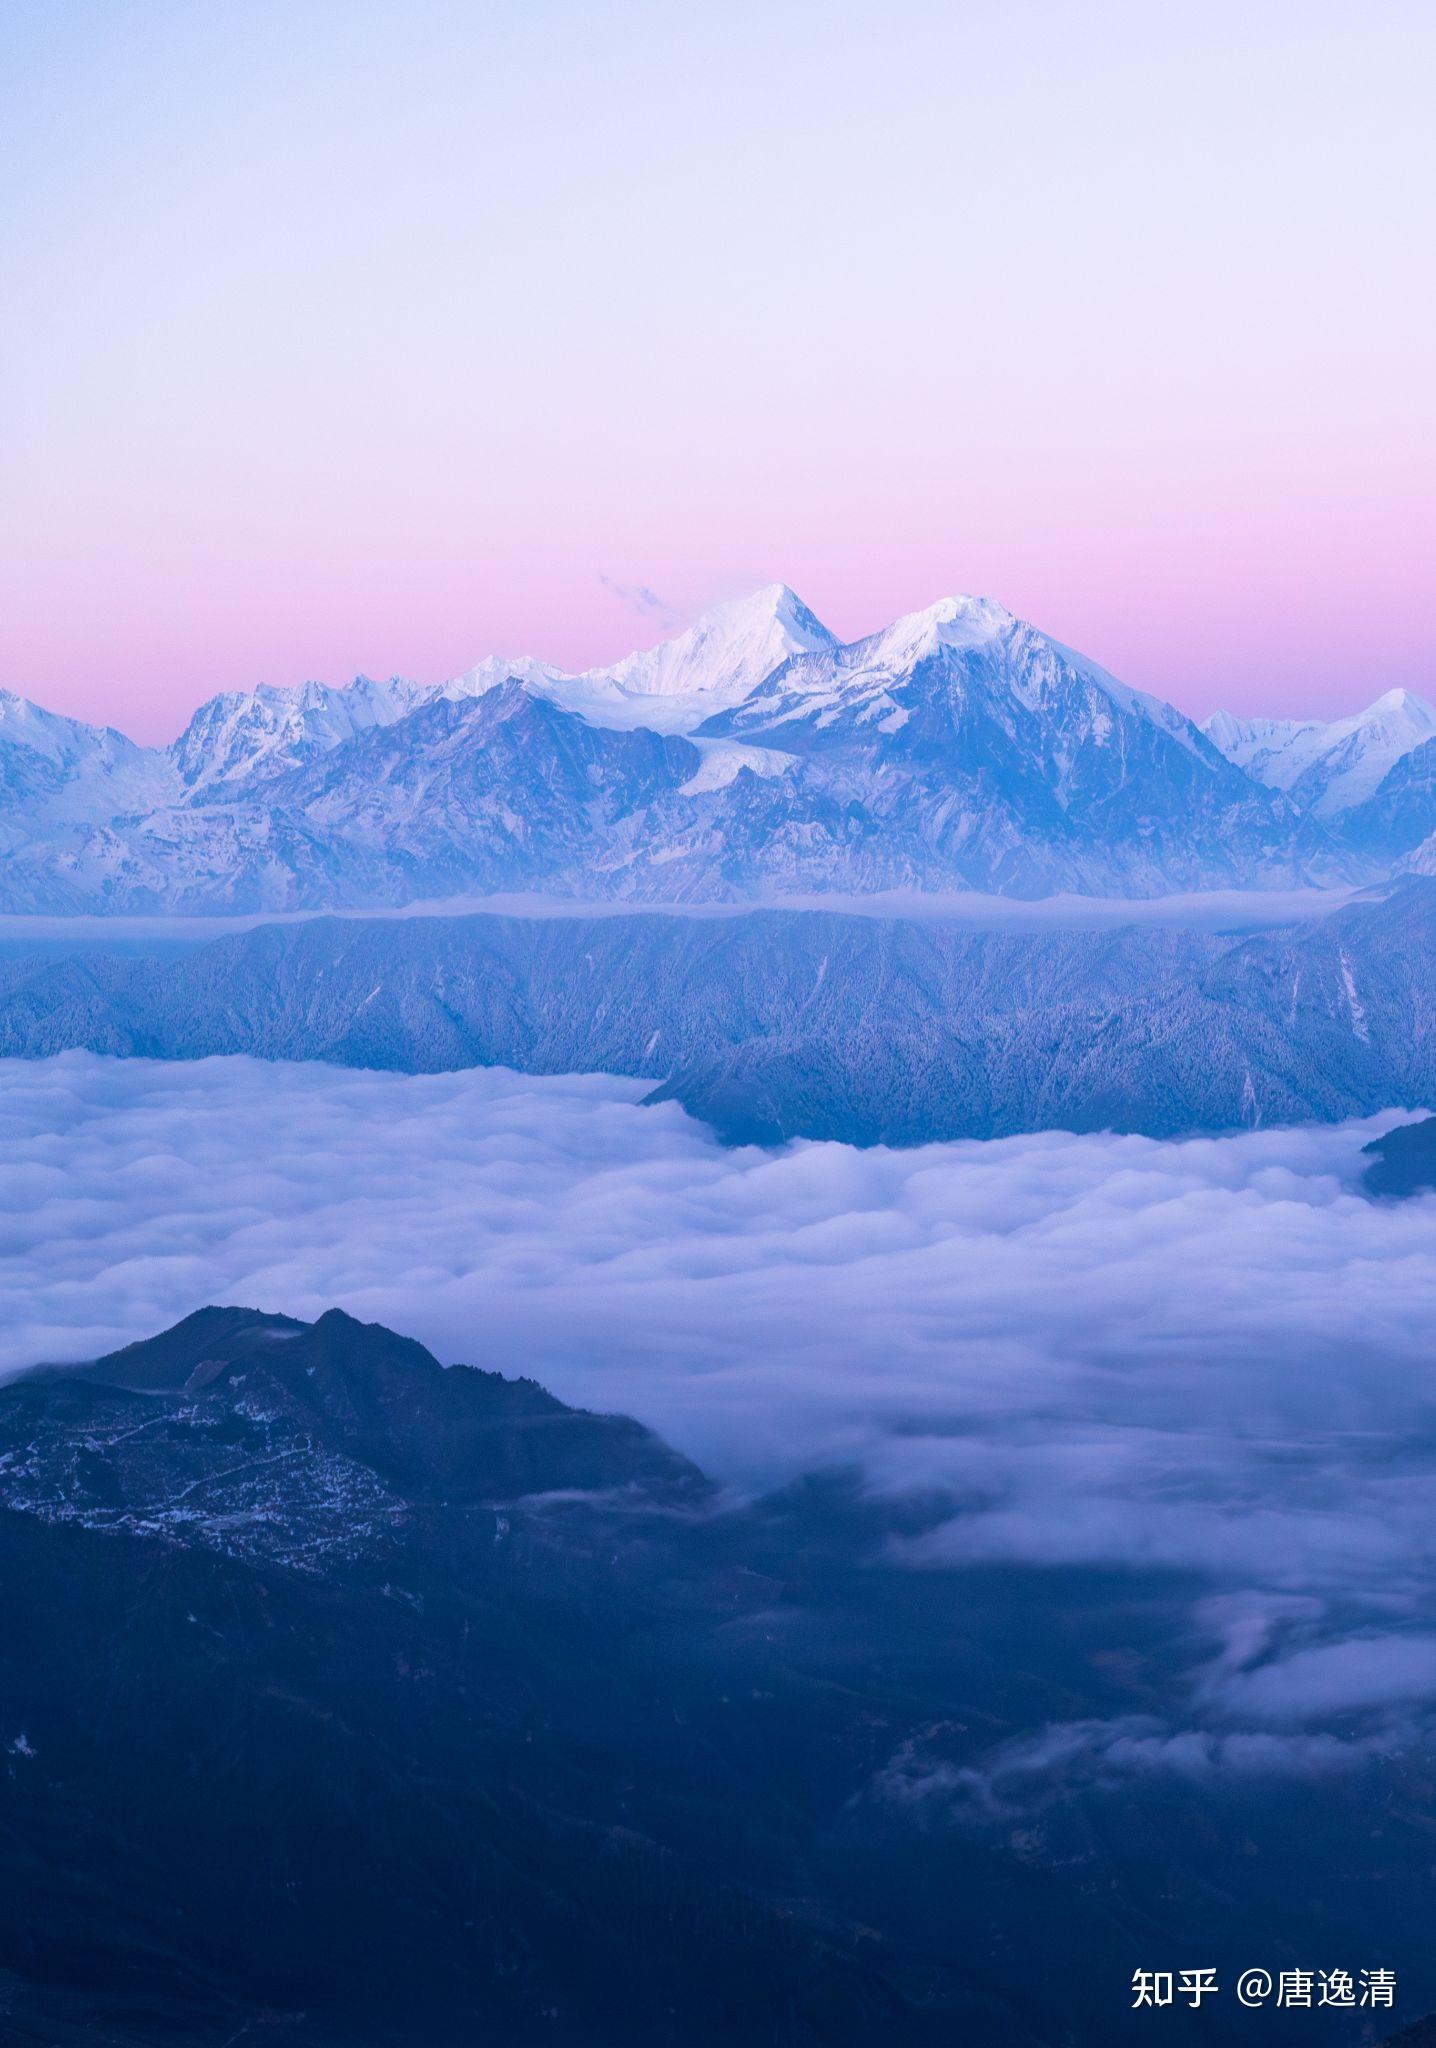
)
(808, 1023)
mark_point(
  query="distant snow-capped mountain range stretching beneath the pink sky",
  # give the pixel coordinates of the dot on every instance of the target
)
(751, 757)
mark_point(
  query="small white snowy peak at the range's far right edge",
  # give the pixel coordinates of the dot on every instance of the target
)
(1326, 767)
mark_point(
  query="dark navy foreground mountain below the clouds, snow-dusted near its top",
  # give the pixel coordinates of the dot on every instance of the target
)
(357, 1703)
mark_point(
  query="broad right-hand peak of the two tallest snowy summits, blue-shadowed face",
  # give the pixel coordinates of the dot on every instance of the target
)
(1005, 755)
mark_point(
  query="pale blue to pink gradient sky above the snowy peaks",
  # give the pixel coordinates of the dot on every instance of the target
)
(382, 339)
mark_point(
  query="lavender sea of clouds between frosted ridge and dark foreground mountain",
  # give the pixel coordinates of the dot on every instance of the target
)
(1203, 1359)
